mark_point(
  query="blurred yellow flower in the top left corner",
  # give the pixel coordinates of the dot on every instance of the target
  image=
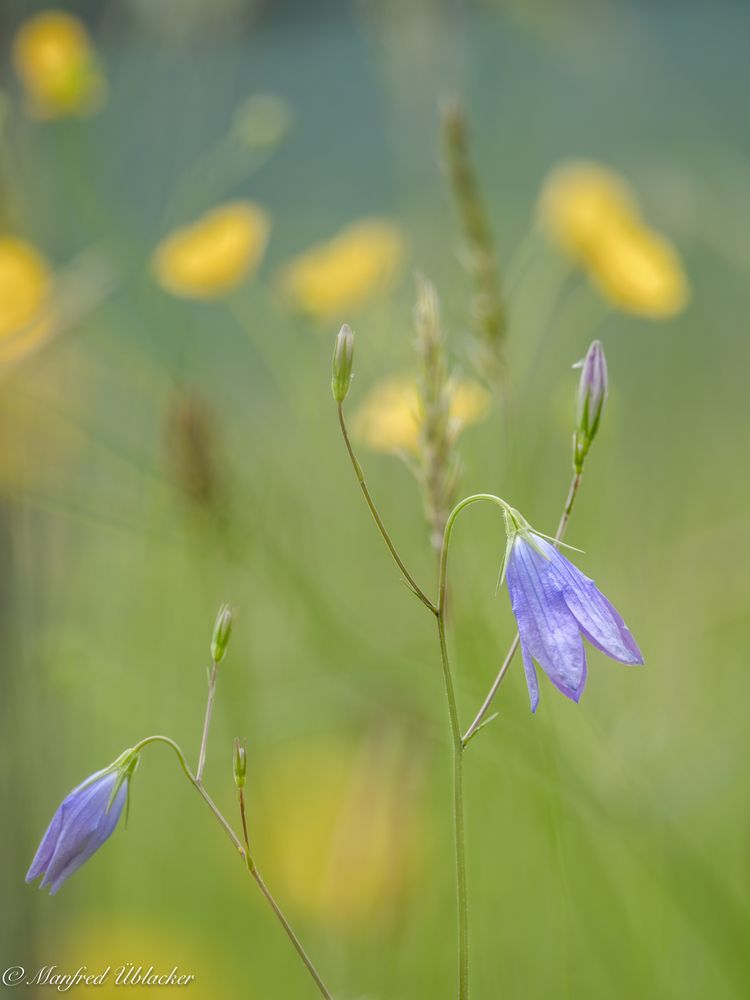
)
(57, 65)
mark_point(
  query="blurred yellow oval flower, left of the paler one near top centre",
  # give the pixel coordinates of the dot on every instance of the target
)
(210, 257)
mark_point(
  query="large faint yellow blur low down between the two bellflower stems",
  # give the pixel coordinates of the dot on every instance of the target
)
(341, 828)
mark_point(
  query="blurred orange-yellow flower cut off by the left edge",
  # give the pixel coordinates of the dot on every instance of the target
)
(25, 287)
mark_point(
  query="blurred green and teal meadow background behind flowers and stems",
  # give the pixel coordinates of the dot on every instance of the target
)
(161, 456)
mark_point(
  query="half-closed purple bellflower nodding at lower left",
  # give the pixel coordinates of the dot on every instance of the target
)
(84, 820)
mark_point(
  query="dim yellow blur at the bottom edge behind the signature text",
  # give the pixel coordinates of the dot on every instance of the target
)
(121, 945)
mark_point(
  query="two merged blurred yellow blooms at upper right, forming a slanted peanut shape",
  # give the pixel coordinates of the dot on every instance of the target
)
(593, 216)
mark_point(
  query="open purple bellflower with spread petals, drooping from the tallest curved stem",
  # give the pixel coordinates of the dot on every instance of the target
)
(556, 606)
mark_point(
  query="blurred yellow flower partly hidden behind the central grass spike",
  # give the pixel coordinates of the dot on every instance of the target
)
(389, 418)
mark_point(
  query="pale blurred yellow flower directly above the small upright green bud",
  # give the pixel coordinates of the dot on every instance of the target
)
(334, 277)
